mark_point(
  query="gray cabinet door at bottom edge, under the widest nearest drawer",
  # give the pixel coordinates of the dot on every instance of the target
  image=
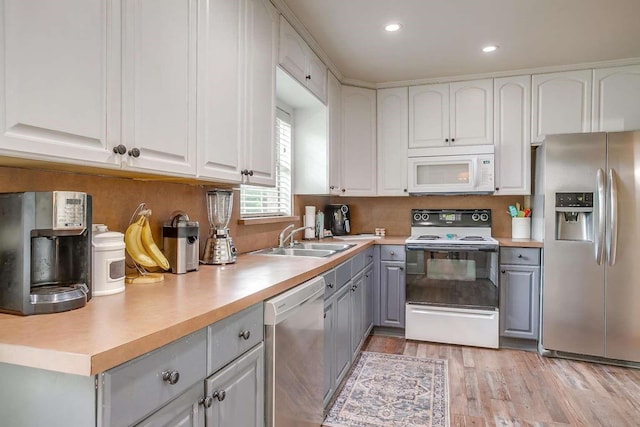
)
(186, 411)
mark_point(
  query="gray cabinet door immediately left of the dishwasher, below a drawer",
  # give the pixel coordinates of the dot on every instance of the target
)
(237, 392)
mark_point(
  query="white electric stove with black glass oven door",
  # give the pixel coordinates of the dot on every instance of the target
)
(452, 278)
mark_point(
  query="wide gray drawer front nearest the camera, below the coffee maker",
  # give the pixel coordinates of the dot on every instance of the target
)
(137, 388)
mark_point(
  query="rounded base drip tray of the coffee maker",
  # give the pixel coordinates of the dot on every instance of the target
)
(56, 297)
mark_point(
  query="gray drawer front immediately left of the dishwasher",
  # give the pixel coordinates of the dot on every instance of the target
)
(232, 336)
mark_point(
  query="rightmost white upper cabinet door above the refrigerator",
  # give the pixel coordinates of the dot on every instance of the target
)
(616, 99)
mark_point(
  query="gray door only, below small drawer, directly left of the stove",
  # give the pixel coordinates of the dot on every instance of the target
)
(392, 293)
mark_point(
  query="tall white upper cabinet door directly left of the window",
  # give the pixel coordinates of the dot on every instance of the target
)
(260, 95)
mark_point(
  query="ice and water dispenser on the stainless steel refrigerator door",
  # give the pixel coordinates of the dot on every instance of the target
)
(574, 216)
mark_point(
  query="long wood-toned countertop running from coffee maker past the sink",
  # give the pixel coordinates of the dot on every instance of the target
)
(113, 329)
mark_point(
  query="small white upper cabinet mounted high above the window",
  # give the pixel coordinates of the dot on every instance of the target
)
(301, 62)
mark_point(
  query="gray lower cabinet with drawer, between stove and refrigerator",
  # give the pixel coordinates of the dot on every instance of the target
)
(519, 293)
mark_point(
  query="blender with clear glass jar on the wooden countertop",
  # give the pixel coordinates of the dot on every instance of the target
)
(219, 248)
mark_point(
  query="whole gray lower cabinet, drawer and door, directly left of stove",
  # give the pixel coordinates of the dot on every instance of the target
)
(391, 297)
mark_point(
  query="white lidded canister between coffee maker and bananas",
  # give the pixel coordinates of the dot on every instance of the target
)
(108, 261)
